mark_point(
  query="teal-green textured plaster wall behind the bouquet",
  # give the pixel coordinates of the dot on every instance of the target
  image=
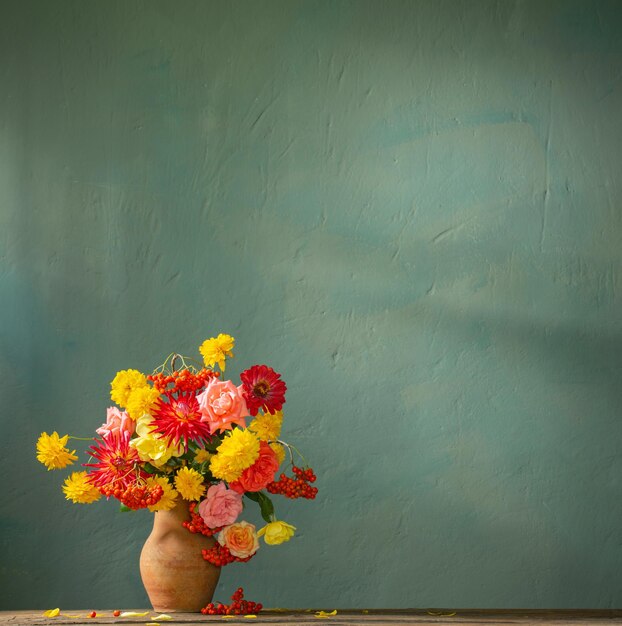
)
(410, 209)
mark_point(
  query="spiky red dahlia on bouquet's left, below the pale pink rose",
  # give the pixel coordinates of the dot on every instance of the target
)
(118, 463)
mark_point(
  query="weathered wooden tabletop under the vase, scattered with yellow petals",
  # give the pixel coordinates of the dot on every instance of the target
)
(349, 617)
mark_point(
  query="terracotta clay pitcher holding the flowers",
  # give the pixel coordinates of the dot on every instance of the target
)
(174, 573)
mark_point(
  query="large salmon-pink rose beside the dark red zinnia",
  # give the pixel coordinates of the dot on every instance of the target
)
(222, 405)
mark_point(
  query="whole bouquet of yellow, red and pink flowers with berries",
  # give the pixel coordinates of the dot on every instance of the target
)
(180, 434)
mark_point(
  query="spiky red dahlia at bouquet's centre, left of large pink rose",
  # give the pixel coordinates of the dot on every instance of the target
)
(180, 419)
